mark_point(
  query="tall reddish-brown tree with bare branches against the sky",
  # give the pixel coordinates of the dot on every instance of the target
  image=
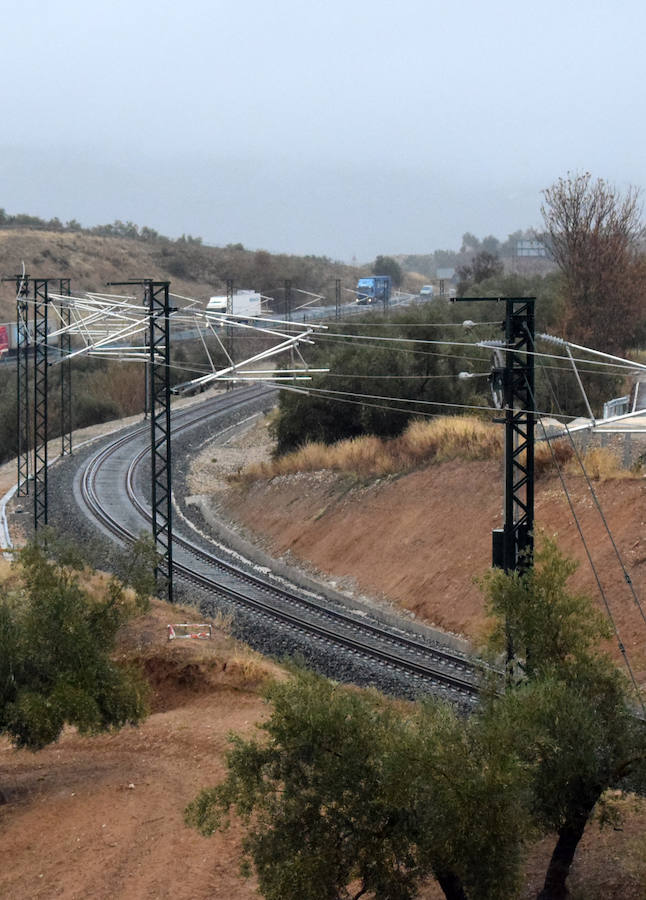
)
(593, 232)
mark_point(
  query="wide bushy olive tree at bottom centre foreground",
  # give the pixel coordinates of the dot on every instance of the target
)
(349, 794)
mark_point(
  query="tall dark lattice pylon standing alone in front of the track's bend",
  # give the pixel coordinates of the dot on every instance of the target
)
(157, 299)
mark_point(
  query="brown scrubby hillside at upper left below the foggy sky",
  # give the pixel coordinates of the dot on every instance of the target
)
(195, 270)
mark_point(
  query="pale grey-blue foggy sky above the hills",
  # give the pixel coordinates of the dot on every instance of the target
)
(340, 128)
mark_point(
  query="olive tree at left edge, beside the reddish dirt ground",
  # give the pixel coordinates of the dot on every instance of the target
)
(56, 665)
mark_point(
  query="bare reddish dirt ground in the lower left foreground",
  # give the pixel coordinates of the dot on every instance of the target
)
(102, 817)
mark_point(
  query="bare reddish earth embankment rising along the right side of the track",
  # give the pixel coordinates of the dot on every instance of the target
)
(421, 540)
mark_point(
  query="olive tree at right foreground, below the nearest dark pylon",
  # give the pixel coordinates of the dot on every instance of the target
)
(571, 708)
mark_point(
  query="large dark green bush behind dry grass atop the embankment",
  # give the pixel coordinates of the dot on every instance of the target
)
(416, 367)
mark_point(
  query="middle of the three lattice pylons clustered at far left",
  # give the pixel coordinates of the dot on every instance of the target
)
(41, 308)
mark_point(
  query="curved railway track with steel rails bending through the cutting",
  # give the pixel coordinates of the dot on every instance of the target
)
(428, 667)
